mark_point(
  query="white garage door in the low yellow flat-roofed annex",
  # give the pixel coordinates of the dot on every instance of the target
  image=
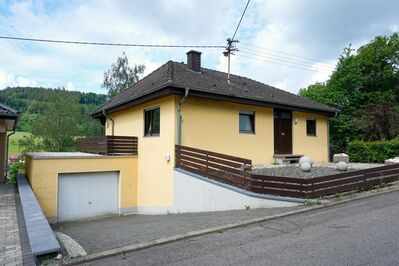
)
(86, 195)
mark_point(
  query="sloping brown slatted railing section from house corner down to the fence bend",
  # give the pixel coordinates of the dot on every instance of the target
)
(221, 167)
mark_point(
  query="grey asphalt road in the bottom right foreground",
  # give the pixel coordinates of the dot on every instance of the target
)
(362, 232)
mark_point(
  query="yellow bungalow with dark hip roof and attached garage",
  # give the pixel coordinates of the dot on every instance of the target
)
(192, 106)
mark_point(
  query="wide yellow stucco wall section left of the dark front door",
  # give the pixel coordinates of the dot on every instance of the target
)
(214, 125)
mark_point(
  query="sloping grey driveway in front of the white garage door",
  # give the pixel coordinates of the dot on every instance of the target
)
(103, 234)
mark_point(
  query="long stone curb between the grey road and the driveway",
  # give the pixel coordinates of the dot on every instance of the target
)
(165, 240)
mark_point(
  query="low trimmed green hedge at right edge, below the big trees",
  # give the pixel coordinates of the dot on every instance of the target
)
(373, 151)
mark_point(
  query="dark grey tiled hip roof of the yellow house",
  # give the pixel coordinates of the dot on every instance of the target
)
(174, 74)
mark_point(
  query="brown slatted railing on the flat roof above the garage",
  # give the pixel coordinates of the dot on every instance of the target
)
(108, 145)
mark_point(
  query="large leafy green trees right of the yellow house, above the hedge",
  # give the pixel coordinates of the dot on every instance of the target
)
(365, 87)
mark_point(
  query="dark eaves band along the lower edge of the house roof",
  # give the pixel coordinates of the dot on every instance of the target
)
(169, 89)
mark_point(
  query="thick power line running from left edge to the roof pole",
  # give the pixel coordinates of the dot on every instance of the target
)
(110, 44)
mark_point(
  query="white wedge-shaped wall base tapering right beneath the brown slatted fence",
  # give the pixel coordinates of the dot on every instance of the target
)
(194, 194)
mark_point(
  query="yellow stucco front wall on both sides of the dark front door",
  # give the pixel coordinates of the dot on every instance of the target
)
(214, 125)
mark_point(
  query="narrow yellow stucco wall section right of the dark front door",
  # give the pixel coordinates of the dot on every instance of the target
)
(314, 146)
